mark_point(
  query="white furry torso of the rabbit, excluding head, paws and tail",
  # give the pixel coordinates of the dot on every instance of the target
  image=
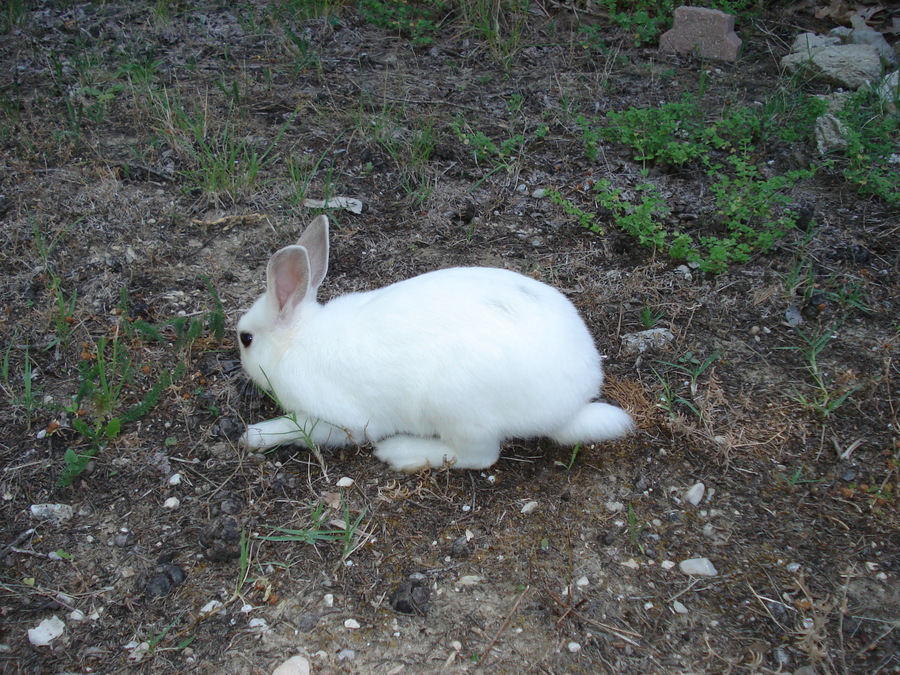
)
(463, 351)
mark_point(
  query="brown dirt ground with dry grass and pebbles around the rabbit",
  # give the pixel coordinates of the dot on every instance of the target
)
(120, 251)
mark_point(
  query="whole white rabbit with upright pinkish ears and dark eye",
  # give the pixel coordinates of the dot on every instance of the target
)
(438, 368)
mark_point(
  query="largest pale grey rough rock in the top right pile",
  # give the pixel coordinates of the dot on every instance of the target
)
(848, 66)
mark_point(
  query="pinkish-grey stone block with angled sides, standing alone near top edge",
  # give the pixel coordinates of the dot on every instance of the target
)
(707, 33)
